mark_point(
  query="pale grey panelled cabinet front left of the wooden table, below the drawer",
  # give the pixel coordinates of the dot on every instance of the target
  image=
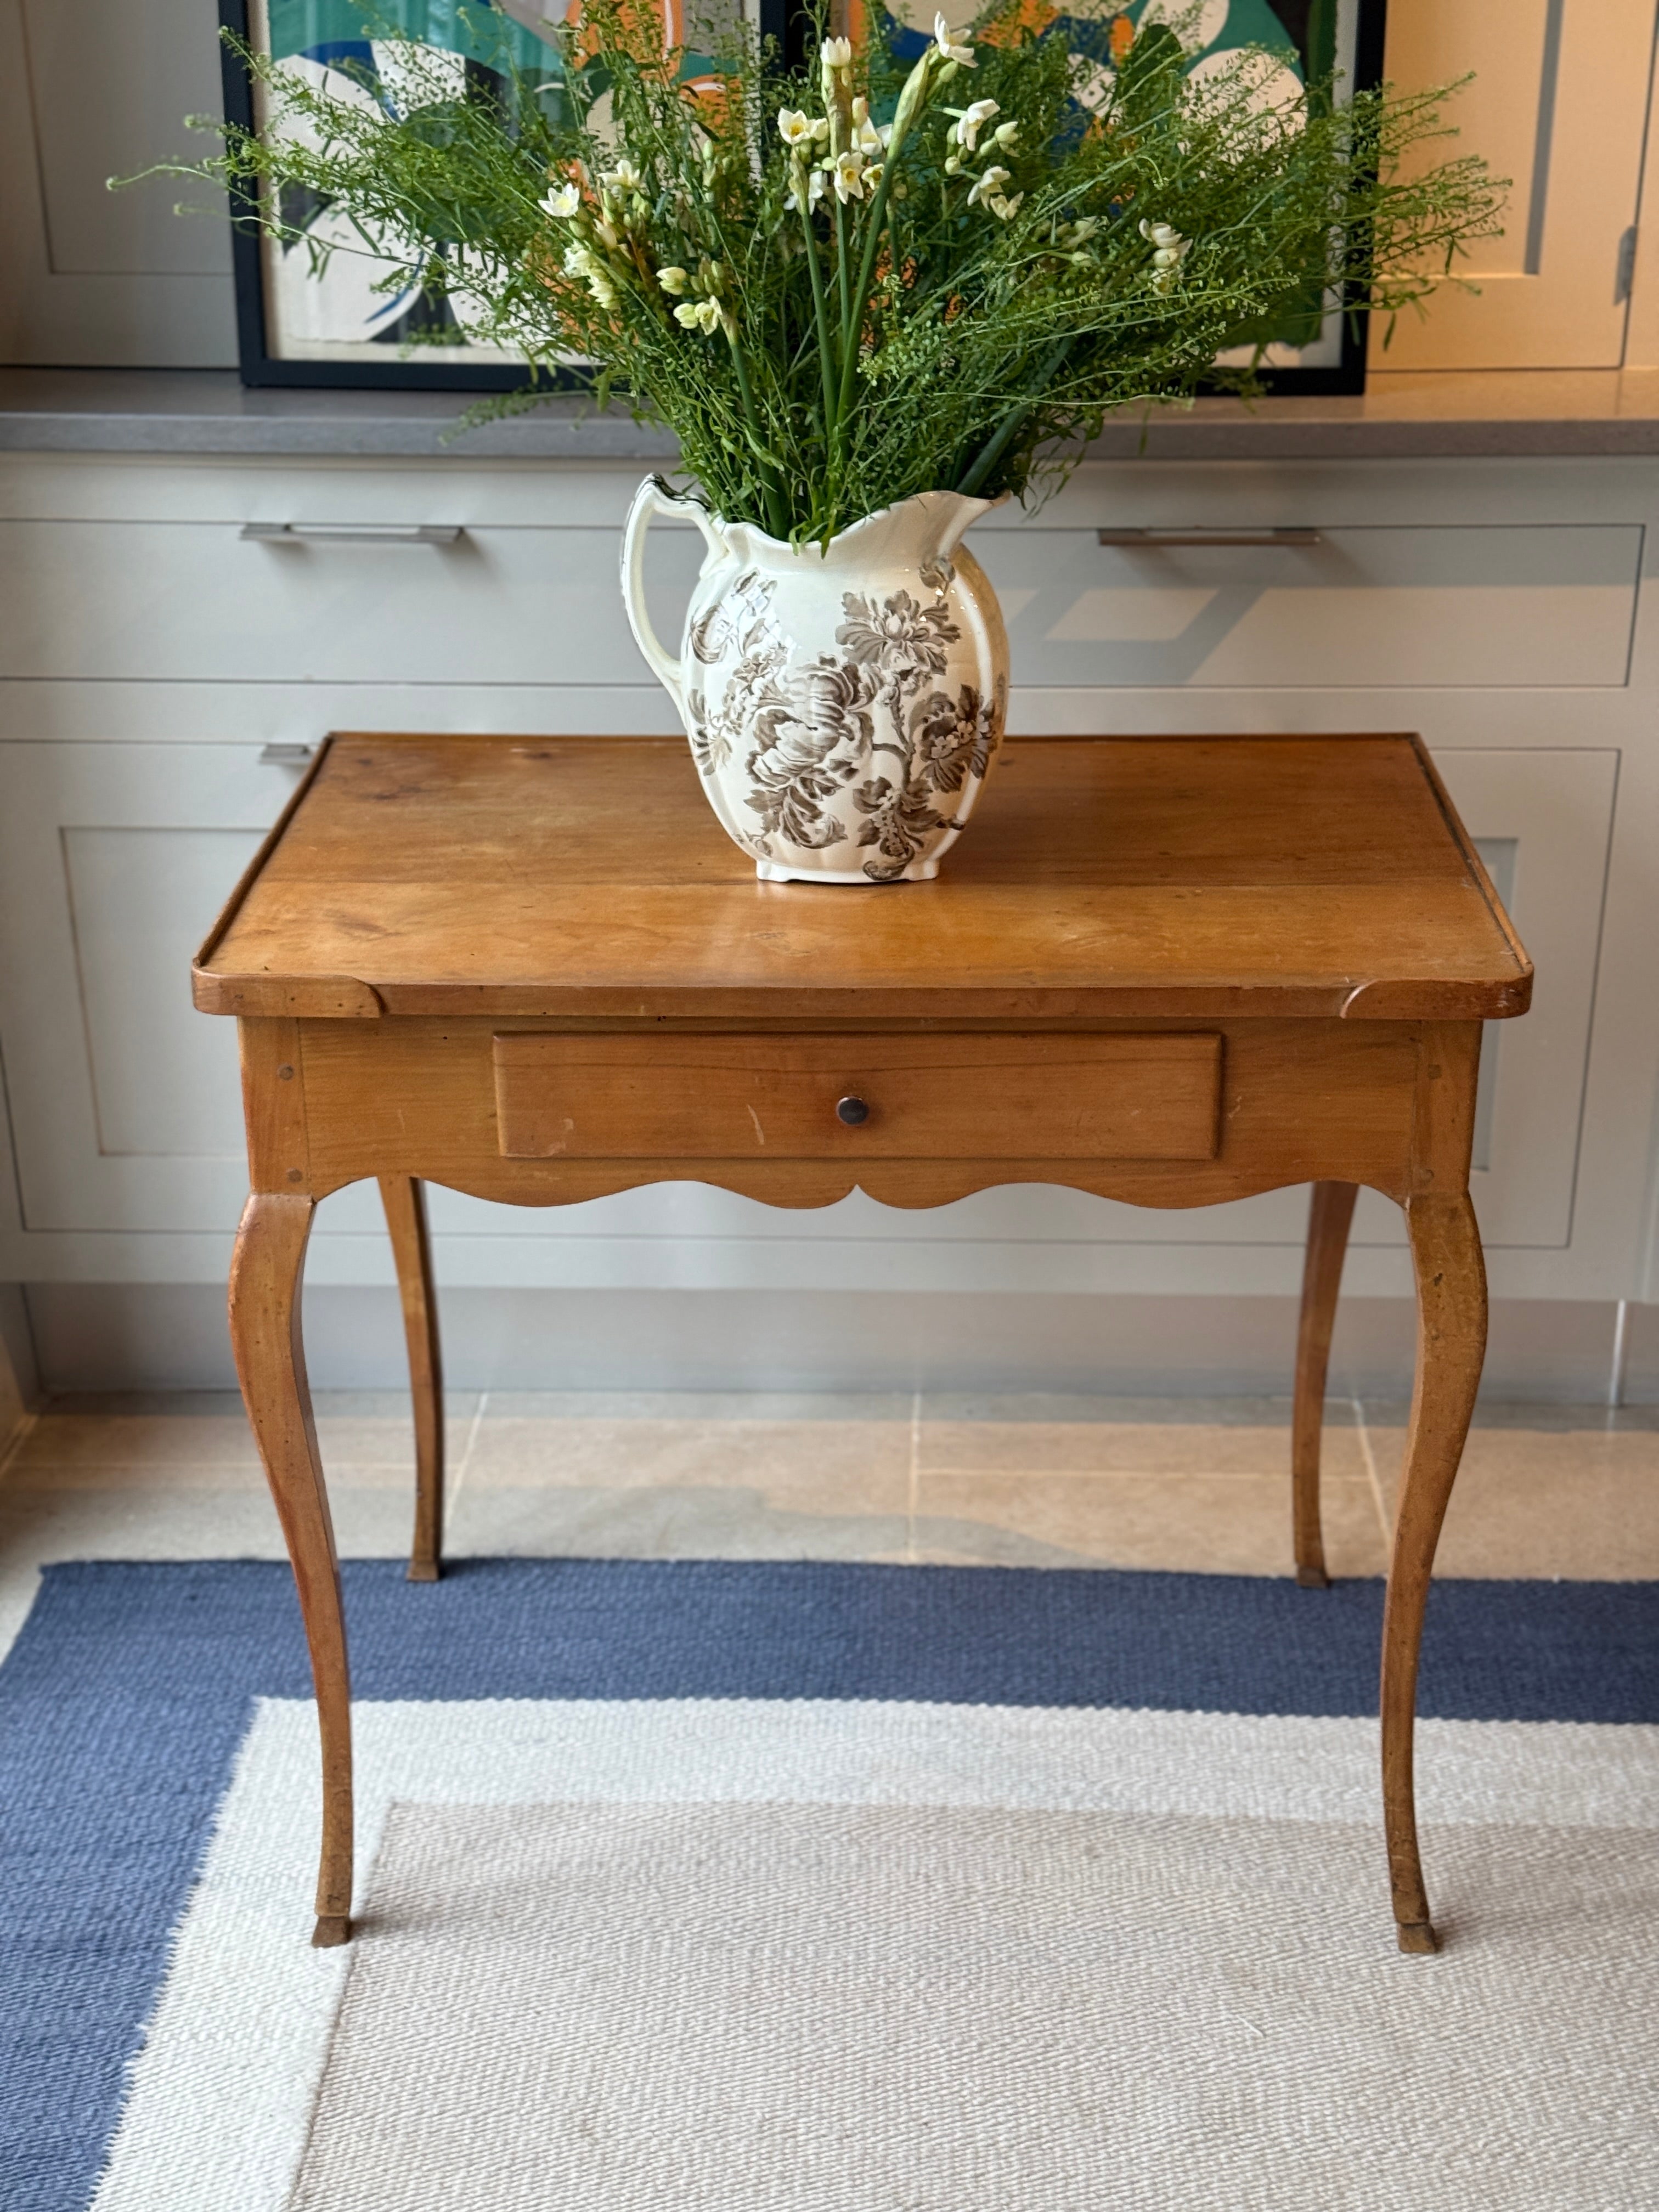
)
(114, 859)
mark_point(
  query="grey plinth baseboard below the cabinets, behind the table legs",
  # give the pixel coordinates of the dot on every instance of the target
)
(98, 1337)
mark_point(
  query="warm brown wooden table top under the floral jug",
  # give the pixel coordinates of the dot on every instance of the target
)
(1129, 877)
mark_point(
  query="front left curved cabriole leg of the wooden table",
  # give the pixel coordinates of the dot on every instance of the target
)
(271, 1364)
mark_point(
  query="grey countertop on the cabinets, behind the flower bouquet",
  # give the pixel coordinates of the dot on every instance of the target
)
(1401, 417)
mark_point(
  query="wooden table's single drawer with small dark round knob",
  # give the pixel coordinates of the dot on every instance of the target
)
(797, 1098)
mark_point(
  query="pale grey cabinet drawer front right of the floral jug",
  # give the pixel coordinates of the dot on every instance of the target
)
(1364, 607)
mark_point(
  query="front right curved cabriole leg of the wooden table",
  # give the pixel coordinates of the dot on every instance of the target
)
(1452, 1346)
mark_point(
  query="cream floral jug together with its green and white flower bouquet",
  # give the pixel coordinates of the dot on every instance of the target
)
(870, 300)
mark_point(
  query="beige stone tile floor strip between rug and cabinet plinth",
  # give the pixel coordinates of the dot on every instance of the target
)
(932, 1479)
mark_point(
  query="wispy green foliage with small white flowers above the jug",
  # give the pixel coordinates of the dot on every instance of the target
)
(952, 317)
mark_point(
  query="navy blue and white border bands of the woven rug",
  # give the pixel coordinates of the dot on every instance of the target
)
(140, 1693)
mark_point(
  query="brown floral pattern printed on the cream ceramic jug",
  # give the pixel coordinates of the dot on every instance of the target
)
(826, 727)
